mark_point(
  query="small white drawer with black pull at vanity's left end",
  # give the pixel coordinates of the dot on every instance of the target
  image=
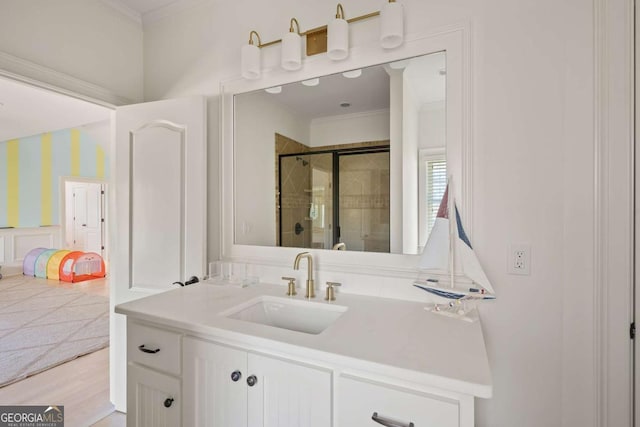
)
(153, 347)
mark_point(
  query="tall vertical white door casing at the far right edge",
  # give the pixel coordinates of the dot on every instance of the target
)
(613, 209)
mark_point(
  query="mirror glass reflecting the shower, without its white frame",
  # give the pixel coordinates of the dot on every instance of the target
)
(314, 162)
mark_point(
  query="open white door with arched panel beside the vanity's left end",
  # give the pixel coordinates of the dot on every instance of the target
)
(159, 205)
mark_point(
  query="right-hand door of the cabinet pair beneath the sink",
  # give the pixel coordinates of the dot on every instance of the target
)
(288, 394)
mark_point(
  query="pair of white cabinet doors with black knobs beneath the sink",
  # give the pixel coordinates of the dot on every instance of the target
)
(230, 387)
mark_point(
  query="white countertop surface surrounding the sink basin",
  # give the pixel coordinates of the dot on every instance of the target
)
(394, 337)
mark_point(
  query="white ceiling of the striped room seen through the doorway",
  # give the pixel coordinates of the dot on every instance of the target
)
(27, 110)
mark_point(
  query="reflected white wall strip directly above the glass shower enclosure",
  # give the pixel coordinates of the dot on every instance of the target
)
(350, 128)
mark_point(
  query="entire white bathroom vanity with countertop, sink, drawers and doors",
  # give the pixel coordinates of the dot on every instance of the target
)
(208, 355)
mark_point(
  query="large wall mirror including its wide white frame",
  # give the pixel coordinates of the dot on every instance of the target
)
(349, 160)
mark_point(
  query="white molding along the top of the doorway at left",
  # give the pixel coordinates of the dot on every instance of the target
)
(36, 75)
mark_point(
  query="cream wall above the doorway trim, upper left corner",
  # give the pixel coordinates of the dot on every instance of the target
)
(85, 39)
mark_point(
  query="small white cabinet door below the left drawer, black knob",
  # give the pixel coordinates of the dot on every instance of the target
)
(153, 399)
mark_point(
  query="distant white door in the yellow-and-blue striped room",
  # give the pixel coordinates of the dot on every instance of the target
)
(87, 217)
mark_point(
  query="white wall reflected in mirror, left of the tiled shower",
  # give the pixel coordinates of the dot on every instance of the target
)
(258, 120)
